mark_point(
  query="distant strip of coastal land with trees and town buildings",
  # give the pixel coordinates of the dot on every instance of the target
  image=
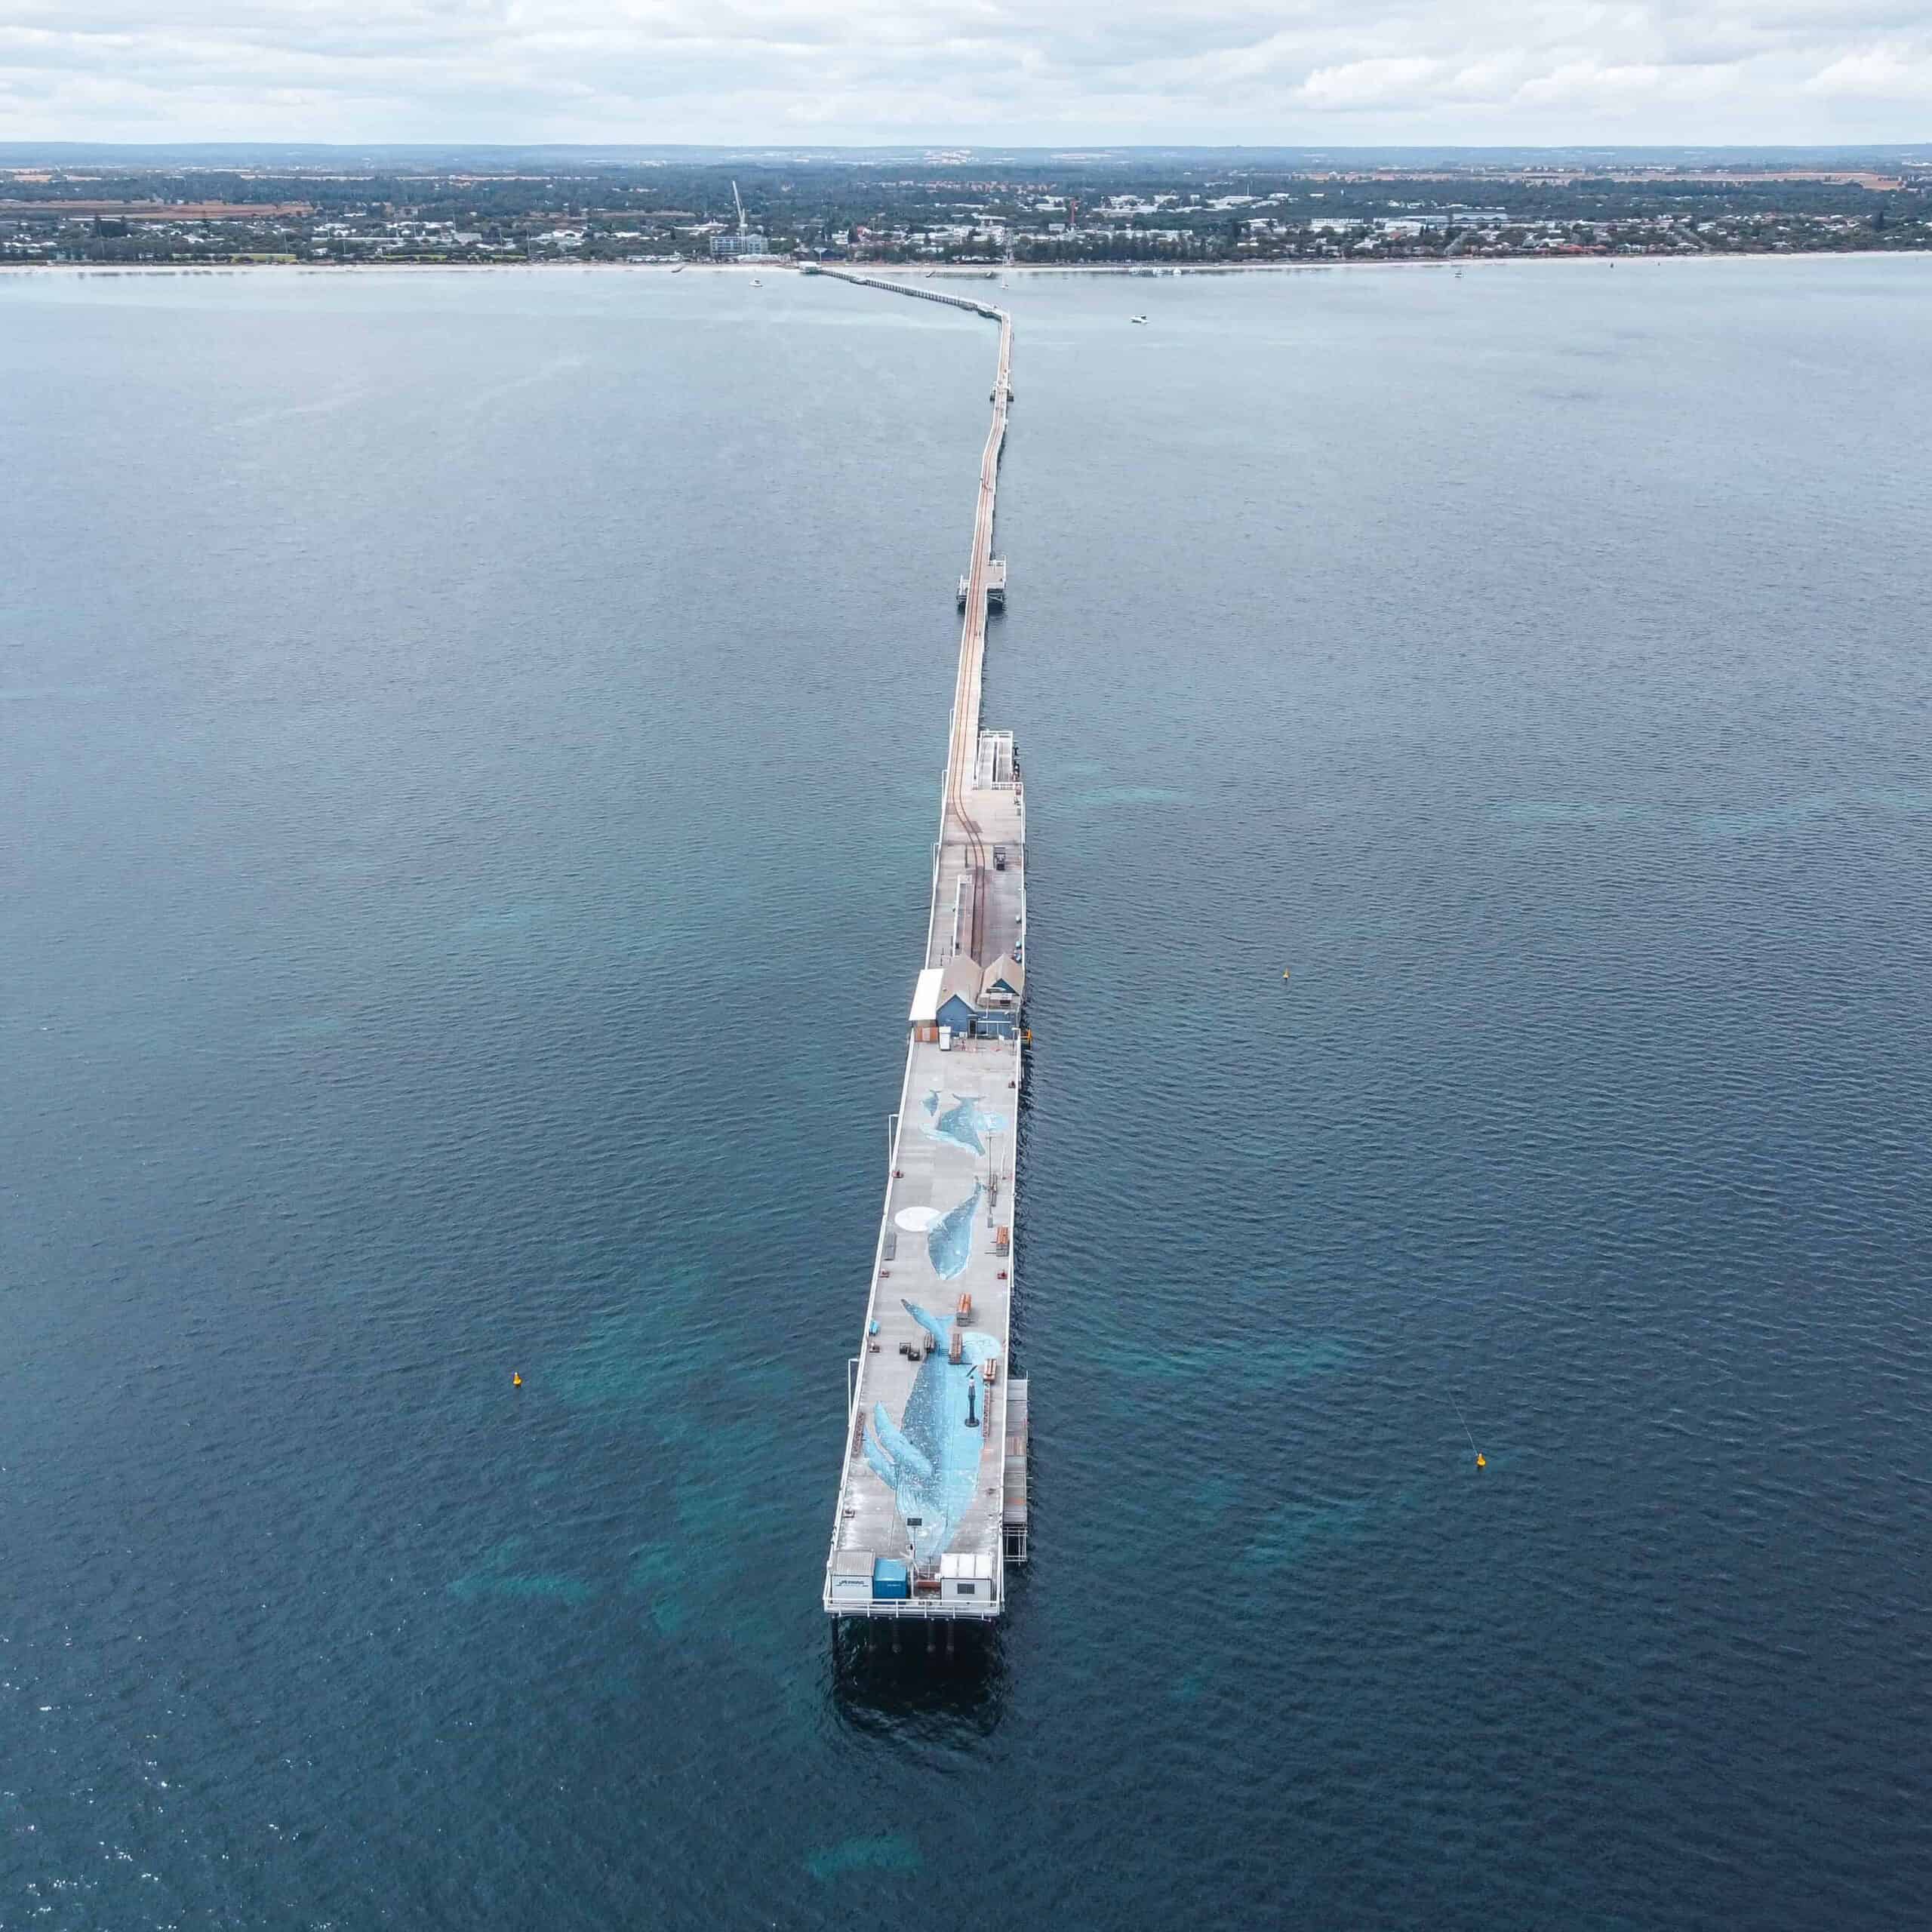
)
(1181, 208)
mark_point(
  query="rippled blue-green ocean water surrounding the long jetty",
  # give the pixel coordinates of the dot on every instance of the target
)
(469, 753)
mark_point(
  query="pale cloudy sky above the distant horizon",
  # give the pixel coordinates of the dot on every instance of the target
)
(990, 72)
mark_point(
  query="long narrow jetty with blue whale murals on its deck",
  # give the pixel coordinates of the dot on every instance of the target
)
(932, 1487)
